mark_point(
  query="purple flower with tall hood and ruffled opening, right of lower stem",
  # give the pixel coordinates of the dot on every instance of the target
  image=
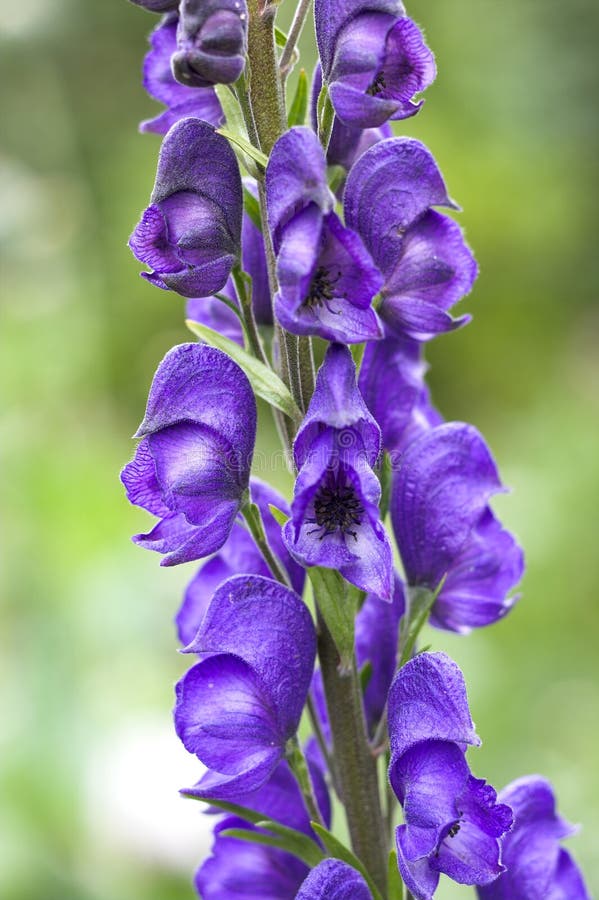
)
(453, 824)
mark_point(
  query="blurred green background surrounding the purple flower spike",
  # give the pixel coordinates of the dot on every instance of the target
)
(89, 765)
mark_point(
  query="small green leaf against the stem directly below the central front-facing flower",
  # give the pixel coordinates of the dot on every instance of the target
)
(337, 602)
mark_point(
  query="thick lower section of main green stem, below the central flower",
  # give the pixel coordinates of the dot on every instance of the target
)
(356, 767)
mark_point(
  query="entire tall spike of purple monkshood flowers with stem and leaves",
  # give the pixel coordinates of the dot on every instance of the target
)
(292, 245)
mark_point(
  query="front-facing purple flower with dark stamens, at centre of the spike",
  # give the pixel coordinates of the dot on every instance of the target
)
(335, 518)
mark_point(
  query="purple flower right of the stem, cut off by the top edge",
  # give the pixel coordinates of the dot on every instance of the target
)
(374, 60)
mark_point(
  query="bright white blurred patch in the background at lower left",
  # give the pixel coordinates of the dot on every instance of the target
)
(132, 802)
